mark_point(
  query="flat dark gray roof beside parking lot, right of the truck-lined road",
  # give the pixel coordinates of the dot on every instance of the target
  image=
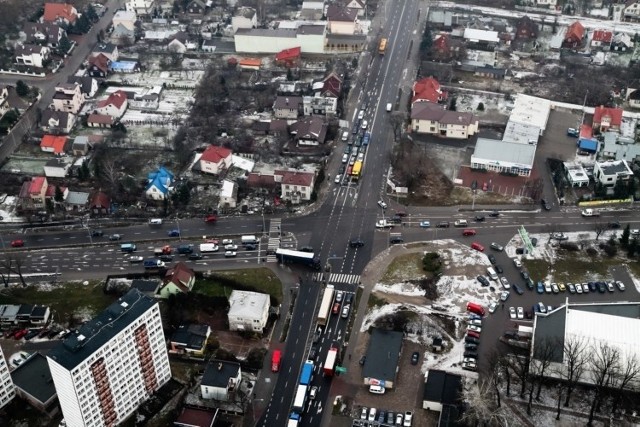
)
(382, 364)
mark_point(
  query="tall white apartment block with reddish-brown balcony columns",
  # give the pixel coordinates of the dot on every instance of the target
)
(112, 364)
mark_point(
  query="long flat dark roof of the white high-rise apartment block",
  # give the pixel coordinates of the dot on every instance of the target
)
(101, 329)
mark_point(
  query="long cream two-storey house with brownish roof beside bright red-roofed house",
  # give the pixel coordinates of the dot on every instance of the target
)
(434, 119)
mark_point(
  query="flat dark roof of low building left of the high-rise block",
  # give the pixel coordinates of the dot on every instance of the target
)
(33, 377)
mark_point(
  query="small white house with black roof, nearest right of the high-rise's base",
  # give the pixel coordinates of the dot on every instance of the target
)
(221, 379)
